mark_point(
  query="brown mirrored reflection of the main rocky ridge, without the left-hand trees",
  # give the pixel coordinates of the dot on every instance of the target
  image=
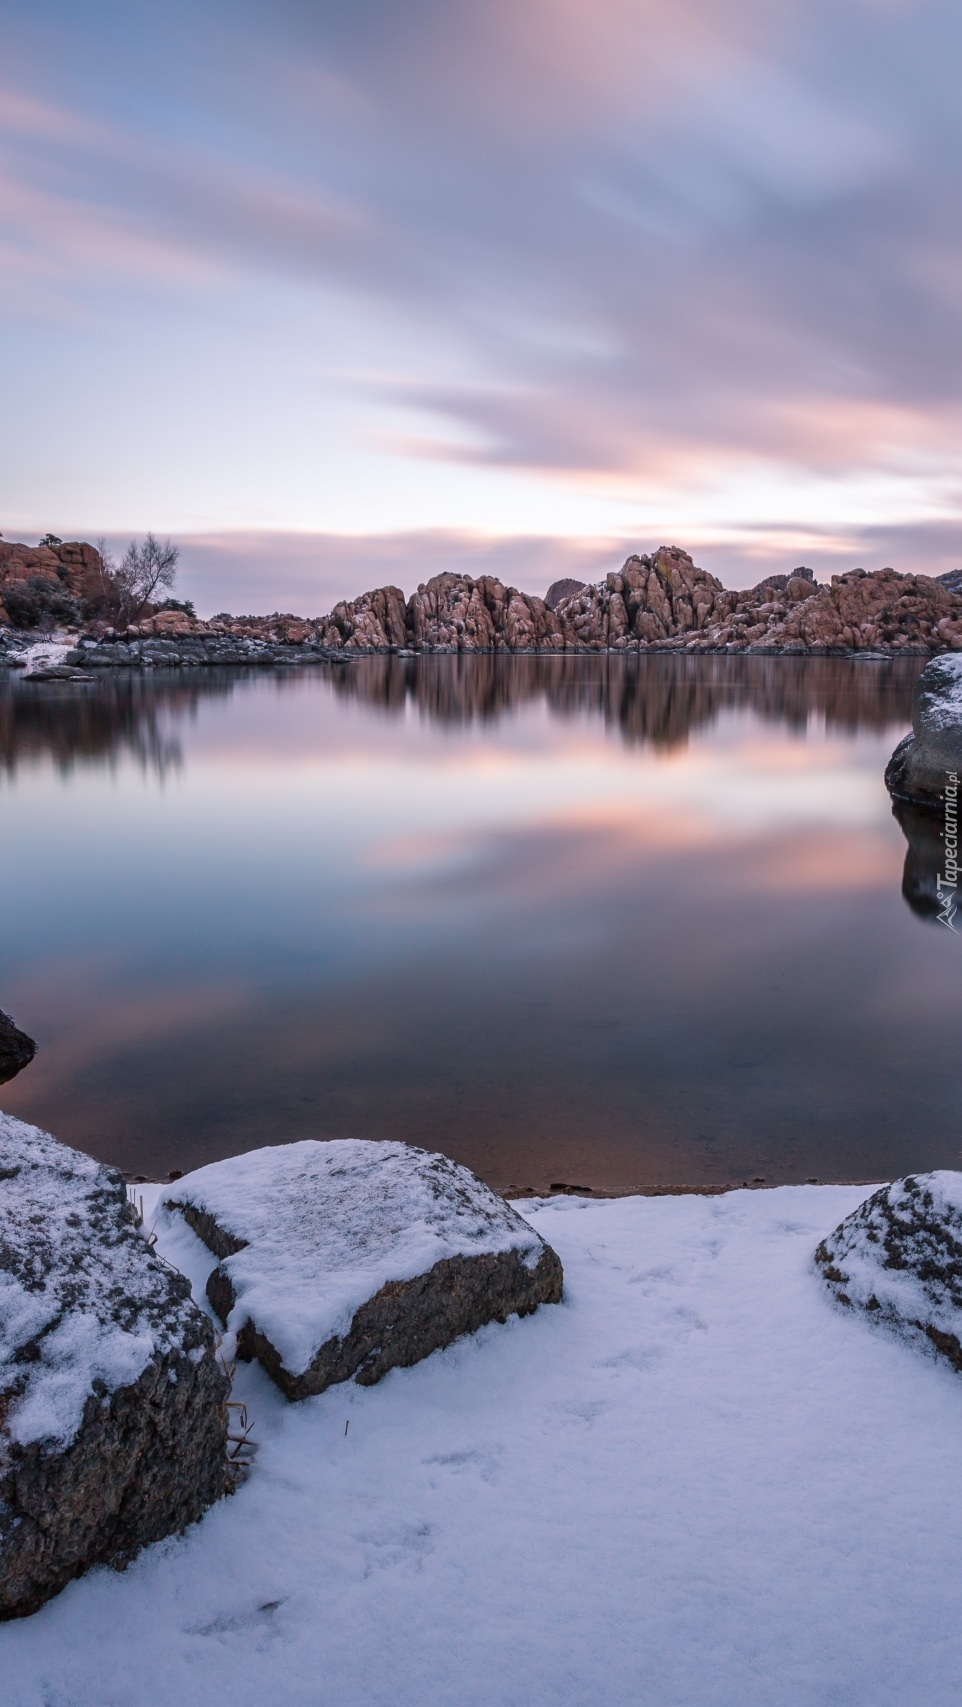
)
(659, 699)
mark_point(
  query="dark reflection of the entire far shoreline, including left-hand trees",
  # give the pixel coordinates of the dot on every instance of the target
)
(659, 701)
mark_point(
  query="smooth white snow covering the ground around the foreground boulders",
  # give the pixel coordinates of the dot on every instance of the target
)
(693, 1484)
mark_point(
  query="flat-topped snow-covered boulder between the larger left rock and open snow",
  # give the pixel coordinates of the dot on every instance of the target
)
(349, 1257)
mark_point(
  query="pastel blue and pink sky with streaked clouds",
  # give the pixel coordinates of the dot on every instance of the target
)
(344, 294)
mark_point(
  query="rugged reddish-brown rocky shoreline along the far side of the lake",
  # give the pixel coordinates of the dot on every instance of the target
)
(658, 603)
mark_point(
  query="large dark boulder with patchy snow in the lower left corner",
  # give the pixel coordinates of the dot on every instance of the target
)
(112, 1401)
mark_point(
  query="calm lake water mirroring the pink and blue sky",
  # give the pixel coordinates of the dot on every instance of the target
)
(606, 923)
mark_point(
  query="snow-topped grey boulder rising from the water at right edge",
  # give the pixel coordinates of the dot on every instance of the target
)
(930, 759)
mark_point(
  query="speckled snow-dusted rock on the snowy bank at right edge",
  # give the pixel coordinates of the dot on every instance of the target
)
(900, 1257)
